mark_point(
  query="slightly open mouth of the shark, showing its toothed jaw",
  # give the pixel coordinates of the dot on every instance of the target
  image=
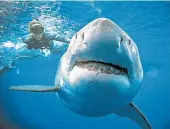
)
(102, 67)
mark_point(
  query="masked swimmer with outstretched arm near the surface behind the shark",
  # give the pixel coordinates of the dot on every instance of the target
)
(39, 39)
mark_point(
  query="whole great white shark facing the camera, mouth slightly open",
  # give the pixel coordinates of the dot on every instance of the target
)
(99, 74)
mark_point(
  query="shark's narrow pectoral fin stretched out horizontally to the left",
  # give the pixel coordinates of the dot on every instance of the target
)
(35, 88)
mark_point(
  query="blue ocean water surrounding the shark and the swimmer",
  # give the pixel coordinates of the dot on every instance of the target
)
(147, 23)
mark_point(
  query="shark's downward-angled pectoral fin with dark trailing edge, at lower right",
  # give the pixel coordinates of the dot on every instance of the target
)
(132, 112)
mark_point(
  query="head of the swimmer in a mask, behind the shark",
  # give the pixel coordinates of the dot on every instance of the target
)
(35, 27)
